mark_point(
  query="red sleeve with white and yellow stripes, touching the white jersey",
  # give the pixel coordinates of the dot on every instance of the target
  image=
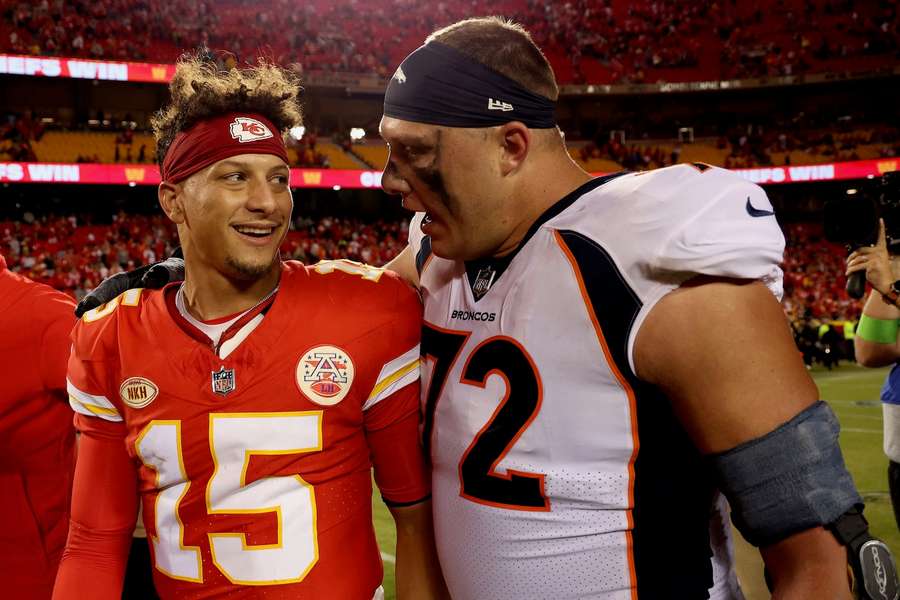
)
(391, 412)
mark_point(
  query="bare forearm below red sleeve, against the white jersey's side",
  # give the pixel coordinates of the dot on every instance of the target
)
(418, 573)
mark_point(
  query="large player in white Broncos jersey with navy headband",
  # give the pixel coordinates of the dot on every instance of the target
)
(601, 355)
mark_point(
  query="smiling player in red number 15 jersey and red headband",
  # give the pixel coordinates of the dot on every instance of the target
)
(246, 407)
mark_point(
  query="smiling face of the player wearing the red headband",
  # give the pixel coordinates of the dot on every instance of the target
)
(236, 214)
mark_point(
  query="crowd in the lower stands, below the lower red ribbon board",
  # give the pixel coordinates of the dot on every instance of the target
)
(74, 252)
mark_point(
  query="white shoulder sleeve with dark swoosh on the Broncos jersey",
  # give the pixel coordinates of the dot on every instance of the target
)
(662, 228)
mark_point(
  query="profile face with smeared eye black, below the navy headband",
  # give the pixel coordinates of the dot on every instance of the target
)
(449, 174)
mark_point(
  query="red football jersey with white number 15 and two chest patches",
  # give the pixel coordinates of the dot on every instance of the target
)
(254, 469)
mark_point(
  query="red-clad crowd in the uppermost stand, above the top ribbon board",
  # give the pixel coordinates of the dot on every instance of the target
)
(588, 41)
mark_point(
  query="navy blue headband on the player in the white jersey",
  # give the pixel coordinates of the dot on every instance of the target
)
(439, 85)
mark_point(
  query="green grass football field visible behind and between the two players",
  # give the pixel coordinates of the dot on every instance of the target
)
(853, 393)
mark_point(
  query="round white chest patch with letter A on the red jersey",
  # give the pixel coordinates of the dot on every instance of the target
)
(325, 374)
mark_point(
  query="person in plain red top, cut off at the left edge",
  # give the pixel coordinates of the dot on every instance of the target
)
(37, 440)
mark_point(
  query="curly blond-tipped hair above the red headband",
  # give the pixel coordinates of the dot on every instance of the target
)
(200, 90)
